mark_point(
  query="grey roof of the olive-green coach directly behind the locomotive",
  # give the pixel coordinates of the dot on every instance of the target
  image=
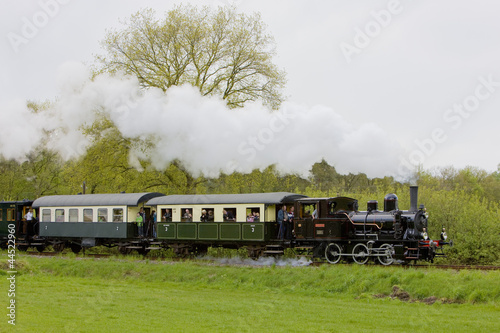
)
(252, 198)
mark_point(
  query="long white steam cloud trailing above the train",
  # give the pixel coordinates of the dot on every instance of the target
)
(199, 131)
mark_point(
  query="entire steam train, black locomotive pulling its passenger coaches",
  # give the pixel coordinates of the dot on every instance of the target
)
(328, 229)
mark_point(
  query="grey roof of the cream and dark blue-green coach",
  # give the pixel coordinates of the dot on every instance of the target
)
(113, 199)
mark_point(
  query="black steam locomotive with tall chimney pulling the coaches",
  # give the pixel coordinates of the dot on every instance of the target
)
(338, 230)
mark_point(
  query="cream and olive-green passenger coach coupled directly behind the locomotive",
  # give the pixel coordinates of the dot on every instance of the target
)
(234, 220)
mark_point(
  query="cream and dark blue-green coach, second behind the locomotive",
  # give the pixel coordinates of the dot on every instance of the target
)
(90, 219)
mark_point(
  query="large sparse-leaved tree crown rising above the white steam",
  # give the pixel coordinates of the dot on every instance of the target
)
(221, 52)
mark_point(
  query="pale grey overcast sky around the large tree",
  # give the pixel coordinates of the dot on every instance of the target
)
(426, 73)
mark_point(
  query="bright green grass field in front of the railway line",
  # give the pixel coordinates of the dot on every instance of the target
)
(68, 294)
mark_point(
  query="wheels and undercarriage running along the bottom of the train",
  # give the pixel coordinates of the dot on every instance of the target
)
(331, 251)
